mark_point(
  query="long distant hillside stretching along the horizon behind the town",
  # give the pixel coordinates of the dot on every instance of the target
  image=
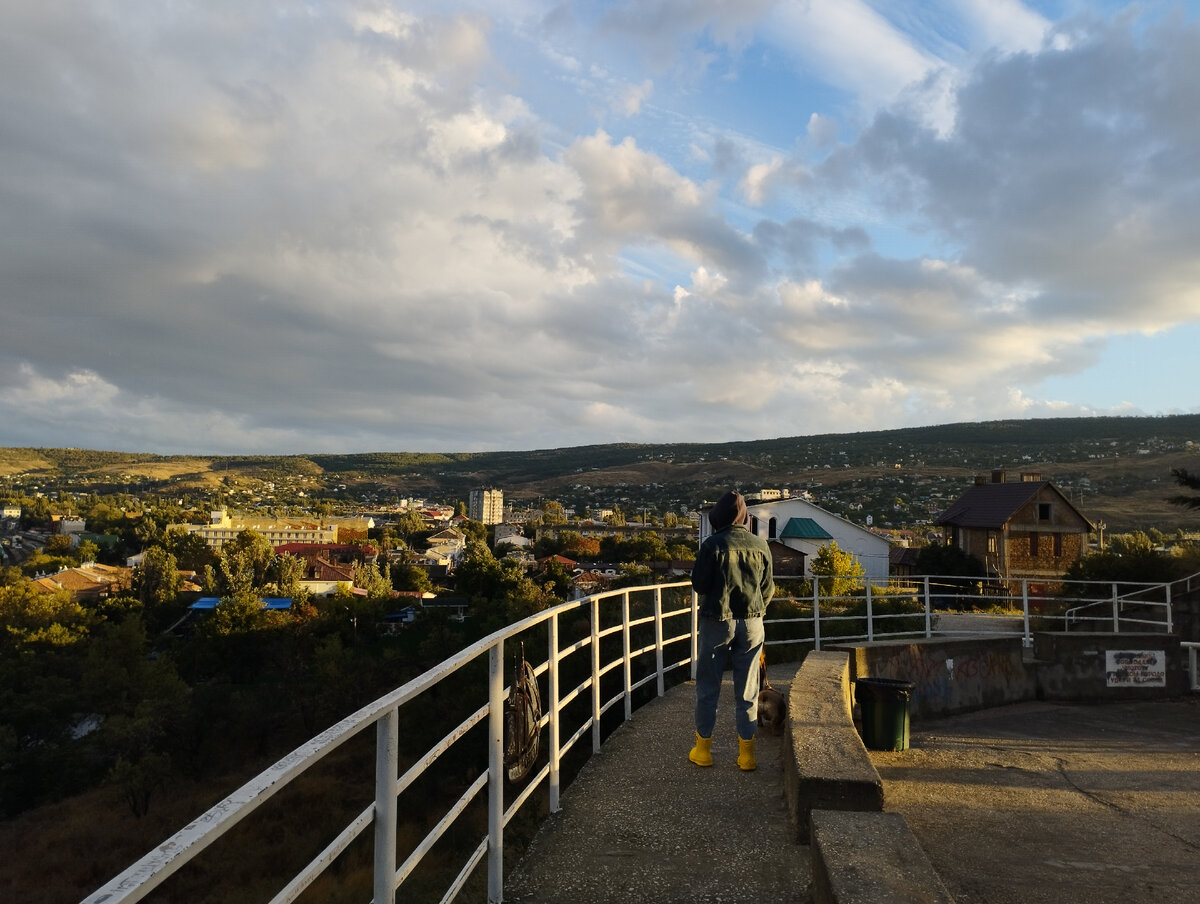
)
(1117, 470)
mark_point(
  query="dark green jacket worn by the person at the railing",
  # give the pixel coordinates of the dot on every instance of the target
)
(734, 576)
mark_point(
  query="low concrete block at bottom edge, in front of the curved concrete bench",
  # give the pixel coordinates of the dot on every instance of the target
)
(871, 858)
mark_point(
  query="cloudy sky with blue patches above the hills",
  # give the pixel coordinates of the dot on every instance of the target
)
(242, 228)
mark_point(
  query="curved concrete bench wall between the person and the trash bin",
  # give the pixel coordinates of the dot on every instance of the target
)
(826, 765)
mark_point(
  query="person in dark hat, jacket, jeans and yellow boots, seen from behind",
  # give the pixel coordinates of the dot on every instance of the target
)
(734, 580)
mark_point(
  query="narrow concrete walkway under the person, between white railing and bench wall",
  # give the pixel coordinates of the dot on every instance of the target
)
(643, 824)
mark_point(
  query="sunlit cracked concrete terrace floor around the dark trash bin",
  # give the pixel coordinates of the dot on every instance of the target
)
(1057, 804)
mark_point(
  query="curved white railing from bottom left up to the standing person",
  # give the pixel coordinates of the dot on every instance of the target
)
(167, 859)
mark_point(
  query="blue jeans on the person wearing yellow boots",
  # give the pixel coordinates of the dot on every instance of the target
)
(718, 643)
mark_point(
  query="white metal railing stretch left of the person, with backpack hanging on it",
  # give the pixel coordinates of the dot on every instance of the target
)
(185, 846)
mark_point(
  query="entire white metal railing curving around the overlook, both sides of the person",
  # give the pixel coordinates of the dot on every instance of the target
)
(164, 861)
